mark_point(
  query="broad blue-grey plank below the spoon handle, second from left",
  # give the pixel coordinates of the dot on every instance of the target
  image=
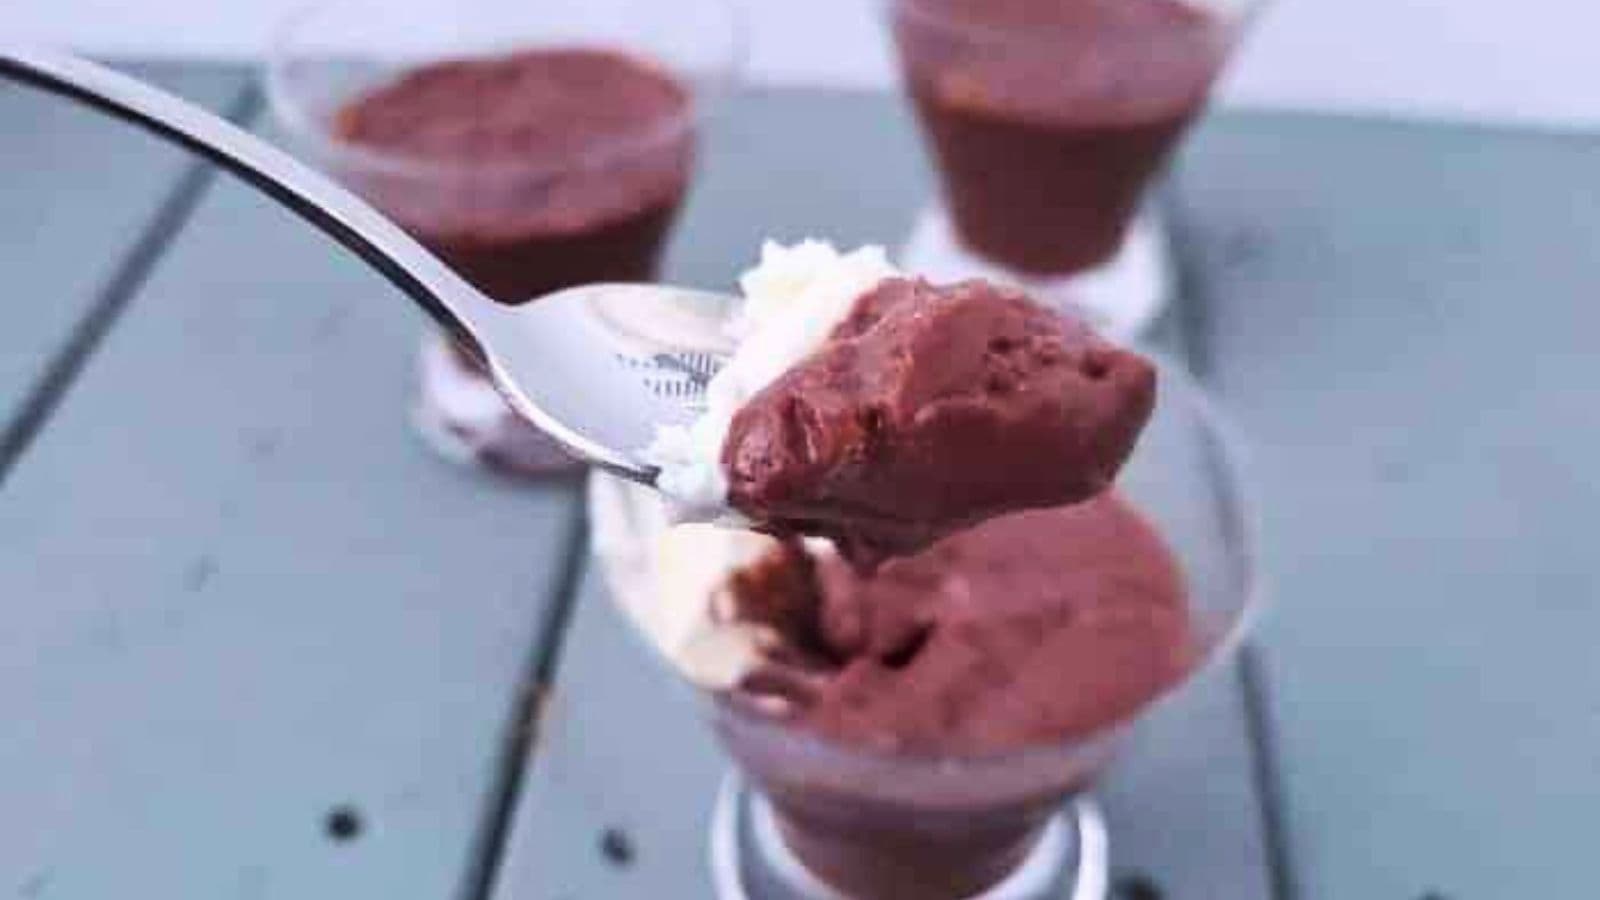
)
(242, 595)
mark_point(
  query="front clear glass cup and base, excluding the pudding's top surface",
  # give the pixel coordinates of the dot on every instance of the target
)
(810, 818)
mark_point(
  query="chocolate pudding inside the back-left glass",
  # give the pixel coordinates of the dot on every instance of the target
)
(530, 172)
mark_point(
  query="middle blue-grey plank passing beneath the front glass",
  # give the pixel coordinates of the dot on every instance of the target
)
(623, 747)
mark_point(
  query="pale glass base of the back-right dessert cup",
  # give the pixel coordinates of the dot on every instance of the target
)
(1121, 297)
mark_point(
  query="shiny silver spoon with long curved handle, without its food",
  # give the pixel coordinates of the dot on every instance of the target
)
(566, 363)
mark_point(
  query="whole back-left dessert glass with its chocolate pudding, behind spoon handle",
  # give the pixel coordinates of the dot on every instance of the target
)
(532, 147)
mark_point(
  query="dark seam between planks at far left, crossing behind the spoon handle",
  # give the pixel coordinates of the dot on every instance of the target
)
(52, 387)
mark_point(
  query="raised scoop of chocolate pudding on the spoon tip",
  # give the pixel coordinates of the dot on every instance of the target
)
(930, 409)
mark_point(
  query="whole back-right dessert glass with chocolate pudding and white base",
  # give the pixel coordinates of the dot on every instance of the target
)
(1047, 121)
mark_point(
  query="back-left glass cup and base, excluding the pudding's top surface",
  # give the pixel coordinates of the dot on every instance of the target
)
(590, 211)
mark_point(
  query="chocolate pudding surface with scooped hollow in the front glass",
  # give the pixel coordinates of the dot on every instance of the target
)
(1026, 630)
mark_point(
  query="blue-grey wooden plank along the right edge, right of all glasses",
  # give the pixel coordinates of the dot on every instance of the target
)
(1404, 318)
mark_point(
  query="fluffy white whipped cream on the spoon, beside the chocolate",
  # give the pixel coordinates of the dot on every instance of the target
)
(793, 300)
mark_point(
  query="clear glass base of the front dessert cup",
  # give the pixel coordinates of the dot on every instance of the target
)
(750, 859)
